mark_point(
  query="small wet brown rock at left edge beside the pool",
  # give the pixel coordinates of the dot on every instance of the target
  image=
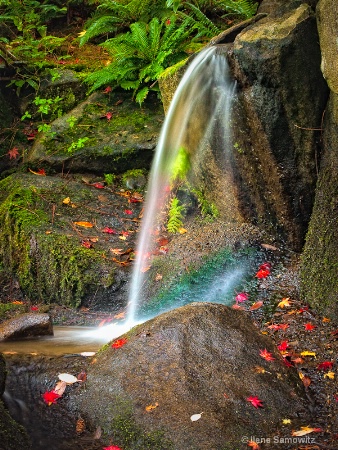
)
(30, 324)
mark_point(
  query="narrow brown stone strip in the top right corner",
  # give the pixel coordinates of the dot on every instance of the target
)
(328, 37)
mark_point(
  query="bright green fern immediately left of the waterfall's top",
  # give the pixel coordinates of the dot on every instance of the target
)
(139, 56)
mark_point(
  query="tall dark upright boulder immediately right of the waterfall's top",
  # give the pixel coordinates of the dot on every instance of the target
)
(281, 99)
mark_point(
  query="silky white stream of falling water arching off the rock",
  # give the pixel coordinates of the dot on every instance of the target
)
(200, 110)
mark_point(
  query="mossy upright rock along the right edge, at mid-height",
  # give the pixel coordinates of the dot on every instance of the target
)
(319, 282)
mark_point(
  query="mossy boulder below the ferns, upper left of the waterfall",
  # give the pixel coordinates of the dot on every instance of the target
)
(107, 133)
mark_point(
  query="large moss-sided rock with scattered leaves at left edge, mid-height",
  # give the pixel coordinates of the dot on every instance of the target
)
(53, 258)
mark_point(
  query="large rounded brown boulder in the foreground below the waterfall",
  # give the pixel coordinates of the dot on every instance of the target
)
(197, 359)
